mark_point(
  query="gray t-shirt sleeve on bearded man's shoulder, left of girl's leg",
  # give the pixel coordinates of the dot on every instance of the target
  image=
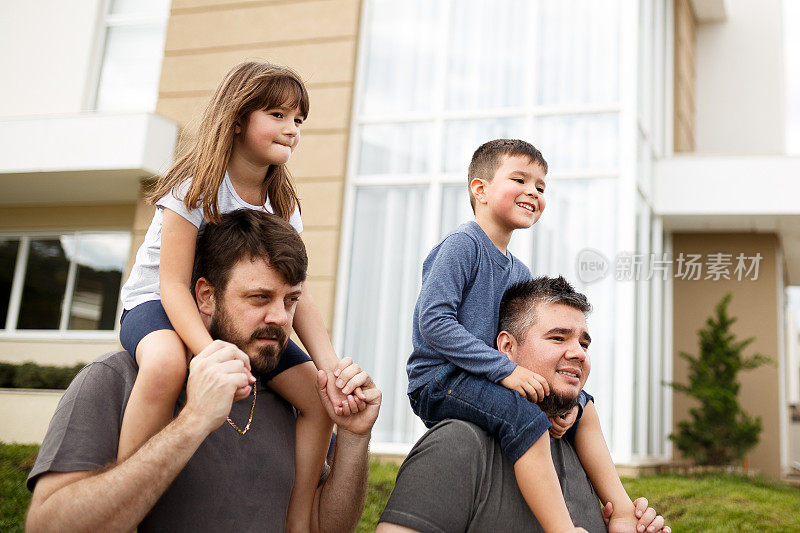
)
(84, 431)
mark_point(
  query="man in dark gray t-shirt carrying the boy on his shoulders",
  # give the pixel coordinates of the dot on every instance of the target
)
(456, 477)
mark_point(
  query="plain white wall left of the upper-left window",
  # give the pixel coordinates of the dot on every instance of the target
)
(46, 52)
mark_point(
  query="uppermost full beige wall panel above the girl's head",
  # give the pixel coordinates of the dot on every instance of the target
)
(246, 25)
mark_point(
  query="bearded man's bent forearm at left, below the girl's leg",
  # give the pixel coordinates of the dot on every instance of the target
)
(118, 498)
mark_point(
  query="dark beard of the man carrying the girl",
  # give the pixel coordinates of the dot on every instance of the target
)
(262, 359)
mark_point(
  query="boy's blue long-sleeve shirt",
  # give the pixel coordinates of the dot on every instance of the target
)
(456, 315)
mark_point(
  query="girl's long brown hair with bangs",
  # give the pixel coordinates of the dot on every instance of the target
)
(247, 87)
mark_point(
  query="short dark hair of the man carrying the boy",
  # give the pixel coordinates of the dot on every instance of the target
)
(517, 308)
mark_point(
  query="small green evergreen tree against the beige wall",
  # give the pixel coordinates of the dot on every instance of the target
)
(719, 432)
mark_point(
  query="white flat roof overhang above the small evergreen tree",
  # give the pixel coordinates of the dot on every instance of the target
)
(733, 194)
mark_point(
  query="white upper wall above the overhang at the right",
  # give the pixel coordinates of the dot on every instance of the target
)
(740, 81)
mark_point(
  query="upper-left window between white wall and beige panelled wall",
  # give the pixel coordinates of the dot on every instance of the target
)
(132, 53)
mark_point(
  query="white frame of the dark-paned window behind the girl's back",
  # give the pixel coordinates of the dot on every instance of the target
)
(8, 331)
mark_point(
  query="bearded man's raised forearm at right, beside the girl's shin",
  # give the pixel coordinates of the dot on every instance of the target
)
(340, 500)
